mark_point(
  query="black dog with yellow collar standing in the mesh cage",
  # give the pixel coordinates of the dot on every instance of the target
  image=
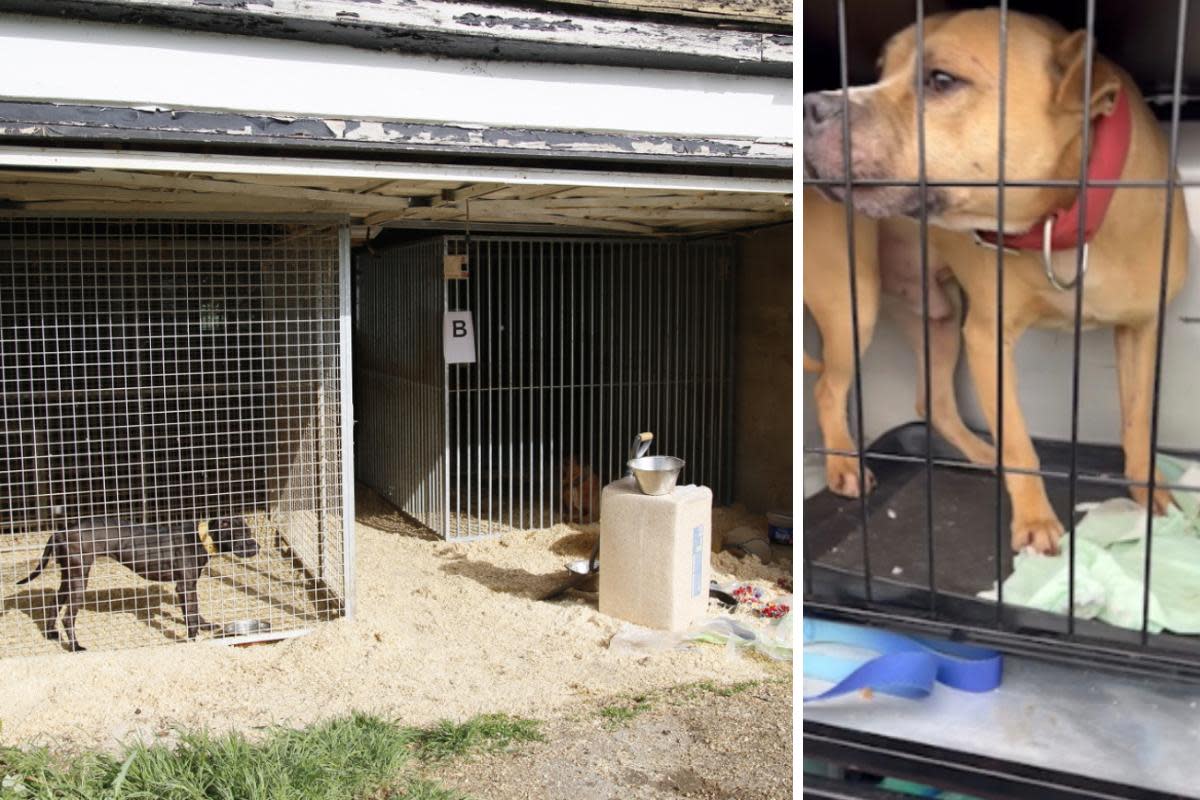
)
(176, 554)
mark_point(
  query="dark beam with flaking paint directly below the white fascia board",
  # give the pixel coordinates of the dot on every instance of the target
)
(135, 125)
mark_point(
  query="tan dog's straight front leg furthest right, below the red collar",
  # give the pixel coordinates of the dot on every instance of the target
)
(1136, 380)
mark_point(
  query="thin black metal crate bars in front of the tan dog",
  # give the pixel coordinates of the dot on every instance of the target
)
(1077, 479)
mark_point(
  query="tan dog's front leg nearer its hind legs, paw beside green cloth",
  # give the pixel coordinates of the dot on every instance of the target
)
(1035, 522)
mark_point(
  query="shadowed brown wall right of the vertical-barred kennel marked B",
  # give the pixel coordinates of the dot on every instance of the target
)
(764, 372)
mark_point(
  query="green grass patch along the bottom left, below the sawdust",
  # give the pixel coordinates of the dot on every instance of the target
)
(344, 760)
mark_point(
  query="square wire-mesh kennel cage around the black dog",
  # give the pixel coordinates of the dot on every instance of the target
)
(169, 371)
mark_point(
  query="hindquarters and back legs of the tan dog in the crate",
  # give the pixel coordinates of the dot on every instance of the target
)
(887, 260)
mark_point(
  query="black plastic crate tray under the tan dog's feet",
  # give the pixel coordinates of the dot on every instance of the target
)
(965, 549)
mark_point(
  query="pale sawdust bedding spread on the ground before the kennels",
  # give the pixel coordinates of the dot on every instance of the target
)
(442, 631)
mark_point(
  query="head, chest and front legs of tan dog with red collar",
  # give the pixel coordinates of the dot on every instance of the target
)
(1045, 100)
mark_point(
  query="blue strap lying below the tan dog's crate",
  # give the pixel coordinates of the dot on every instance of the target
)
(907, 666)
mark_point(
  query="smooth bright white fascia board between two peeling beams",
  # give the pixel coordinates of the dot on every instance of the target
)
(57, 61)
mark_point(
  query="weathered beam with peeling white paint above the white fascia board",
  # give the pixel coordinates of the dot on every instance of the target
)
(471, 31)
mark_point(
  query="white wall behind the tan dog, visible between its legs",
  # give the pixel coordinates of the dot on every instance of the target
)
(1045, 366)
